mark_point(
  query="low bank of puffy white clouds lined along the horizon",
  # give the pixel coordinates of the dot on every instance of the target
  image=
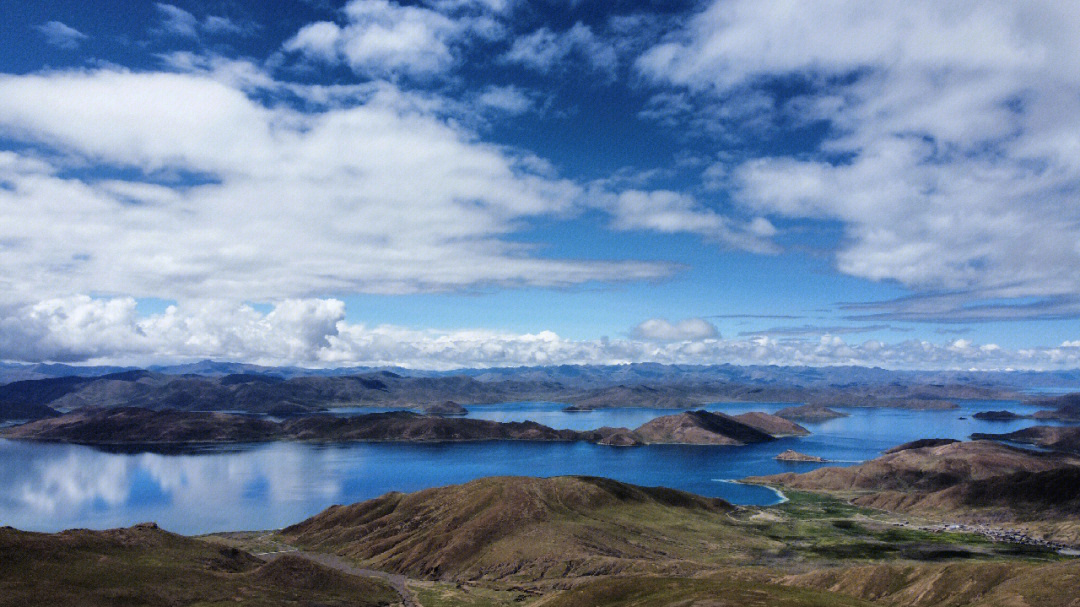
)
(316, 333)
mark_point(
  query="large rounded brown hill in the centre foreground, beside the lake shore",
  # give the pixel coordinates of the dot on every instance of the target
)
(526, 529)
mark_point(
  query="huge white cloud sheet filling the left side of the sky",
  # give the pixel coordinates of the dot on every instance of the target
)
(251, 203)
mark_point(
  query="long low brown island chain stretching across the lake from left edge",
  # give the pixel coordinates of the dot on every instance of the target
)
(146, 428)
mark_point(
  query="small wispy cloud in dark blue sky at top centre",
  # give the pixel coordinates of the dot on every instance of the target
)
(546, 50)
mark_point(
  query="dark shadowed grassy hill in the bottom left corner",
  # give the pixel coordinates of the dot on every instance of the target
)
(147, 566)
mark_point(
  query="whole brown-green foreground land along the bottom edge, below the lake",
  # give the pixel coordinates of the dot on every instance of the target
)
(547, 543)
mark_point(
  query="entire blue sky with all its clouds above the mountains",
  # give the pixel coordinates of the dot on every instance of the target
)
(471, 183)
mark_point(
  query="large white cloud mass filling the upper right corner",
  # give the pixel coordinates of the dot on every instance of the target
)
(952, 155)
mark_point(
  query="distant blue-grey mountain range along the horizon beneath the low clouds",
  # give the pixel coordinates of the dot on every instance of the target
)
(657, 387)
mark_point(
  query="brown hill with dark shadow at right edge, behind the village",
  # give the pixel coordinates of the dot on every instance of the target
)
(976, 482)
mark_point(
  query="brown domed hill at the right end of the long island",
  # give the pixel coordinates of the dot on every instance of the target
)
(700, 428)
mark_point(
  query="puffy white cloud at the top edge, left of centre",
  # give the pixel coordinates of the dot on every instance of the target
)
(383, 38)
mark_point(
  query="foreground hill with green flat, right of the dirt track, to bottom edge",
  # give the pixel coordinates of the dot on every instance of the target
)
(617, 545)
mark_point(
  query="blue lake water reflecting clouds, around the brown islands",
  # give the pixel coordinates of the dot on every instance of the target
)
(50, 488)
